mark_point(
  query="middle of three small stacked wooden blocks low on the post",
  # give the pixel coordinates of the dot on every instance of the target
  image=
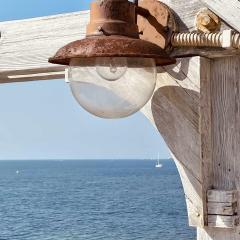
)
(227, 209)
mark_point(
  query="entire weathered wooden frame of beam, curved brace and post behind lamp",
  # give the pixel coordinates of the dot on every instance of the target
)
(196, 105)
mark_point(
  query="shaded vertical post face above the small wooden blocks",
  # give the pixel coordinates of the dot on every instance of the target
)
(225, 115)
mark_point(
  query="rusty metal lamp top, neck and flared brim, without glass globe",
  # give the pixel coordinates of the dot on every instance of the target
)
(112, 32)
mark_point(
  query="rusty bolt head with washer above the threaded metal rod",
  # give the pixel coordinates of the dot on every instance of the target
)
(207, 21)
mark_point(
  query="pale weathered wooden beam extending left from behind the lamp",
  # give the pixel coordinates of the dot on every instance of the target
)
(26, 45)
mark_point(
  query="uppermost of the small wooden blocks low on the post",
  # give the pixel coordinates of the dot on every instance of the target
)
(222, 196)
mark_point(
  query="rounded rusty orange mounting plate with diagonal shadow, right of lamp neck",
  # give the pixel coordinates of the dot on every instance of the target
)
(156, 21)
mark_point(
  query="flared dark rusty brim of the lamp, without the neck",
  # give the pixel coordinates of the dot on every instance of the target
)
(111, 46)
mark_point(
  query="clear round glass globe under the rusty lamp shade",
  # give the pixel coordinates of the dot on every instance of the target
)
(112, 87)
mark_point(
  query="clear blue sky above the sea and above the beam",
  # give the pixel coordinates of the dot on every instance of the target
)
(41, 120)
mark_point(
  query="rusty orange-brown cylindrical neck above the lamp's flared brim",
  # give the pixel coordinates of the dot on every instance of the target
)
(113, 17)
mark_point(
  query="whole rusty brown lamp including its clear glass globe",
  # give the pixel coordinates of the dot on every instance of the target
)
(112, 72)
